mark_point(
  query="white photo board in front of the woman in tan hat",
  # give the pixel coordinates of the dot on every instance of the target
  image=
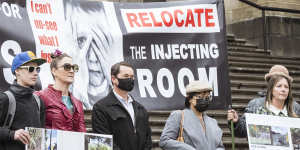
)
(267, 132)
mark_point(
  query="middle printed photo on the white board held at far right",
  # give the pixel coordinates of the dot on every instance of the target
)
(280, 136)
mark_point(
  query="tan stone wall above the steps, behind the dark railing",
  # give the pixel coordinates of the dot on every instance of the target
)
(244, 21)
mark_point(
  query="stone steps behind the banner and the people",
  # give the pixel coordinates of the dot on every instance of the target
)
(247, 67)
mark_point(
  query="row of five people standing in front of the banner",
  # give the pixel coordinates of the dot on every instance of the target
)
(118, 114)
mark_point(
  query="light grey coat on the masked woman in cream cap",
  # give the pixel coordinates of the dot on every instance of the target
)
(193, 133)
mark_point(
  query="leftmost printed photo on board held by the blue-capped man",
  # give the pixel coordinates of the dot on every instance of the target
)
(36, 135)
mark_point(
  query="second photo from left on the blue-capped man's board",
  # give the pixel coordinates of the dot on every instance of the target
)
(51, 139)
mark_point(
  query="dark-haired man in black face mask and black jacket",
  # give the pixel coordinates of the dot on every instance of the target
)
(120, 115)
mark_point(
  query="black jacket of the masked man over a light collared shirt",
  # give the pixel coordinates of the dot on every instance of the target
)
(110, 117)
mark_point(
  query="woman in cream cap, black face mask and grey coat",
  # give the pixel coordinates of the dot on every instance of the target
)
(198, 130)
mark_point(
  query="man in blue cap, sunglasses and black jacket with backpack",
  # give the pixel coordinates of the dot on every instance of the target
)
(28, 113)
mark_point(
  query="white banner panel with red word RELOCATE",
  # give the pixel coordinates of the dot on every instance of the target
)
(182, 19)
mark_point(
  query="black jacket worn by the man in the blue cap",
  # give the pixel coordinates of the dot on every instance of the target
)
(26, 115)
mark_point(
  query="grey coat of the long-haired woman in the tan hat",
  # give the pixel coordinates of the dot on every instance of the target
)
(240, 129)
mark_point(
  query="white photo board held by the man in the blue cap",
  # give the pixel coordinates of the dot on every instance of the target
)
(51, 139)
